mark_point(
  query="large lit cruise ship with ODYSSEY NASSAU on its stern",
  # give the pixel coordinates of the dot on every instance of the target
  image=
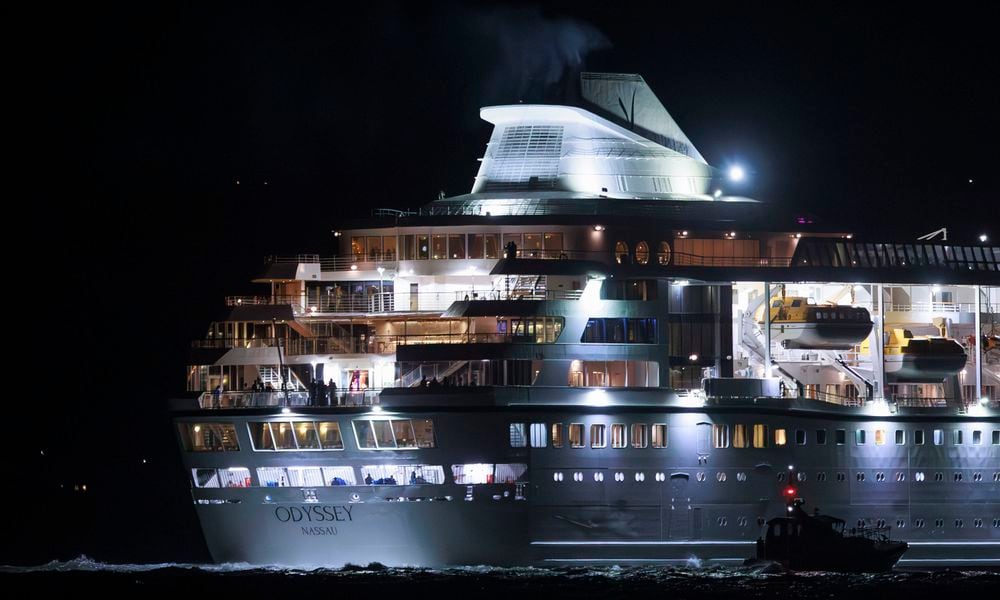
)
(606, 352)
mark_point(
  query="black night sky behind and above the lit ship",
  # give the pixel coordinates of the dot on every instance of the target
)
(132, 123)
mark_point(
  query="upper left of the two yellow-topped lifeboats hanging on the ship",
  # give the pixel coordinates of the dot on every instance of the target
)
(800, 324)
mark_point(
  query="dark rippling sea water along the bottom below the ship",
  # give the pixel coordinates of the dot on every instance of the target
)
(475, 583)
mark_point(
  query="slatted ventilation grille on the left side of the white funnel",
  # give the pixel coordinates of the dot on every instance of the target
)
(526, 156)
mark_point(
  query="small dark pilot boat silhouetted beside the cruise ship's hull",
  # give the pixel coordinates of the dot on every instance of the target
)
(805, 542)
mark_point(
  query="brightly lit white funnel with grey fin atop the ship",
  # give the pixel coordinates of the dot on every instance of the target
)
(621, 144)
